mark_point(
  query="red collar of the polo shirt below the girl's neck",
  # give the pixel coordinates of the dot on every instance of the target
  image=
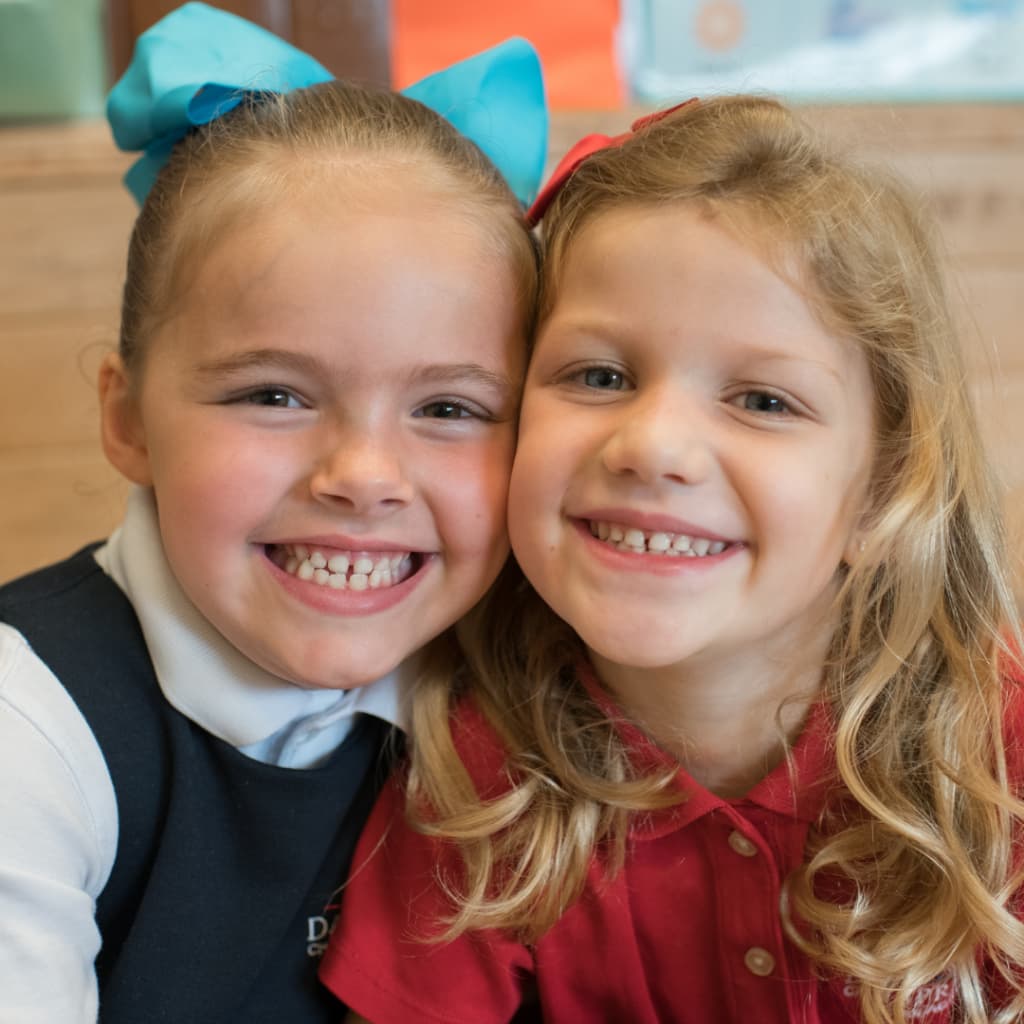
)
(796, 789)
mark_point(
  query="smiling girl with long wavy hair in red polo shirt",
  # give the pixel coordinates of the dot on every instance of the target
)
(741, 736)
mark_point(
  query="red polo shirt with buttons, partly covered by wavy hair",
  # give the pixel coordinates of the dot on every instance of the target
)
(689, 932)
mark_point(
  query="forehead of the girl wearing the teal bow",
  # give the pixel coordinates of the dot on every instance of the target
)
(333, 289)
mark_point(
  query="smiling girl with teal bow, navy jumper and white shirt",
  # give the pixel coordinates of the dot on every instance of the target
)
(328, 296)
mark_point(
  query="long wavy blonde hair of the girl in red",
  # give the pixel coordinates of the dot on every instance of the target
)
(920, 828)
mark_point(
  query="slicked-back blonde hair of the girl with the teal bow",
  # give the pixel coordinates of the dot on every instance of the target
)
(328, 136)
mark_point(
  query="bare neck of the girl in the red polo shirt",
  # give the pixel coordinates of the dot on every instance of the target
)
(729, 720)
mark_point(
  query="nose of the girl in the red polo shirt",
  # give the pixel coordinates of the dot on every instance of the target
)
(665, 438)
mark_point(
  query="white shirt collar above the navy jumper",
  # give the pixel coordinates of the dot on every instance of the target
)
(202, 675)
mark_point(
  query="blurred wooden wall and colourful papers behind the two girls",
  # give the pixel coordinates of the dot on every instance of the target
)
(933, 88)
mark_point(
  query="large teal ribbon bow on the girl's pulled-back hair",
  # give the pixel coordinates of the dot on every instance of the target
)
(198, 63)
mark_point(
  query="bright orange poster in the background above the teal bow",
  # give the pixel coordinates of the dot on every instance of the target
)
(576, 40)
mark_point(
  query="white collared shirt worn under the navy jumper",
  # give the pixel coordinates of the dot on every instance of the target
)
(58, 807)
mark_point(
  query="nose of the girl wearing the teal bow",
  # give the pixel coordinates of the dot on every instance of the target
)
(362, 472)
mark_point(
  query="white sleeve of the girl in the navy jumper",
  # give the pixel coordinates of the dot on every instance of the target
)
(58, 844)
